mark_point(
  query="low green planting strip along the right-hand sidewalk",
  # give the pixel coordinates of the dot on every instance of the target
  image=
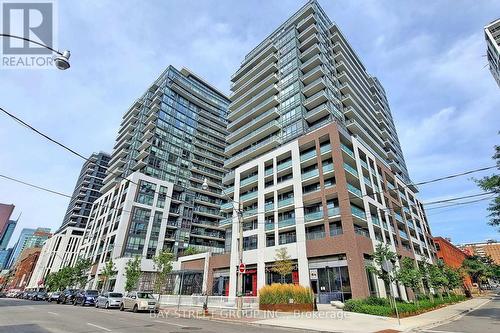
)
(382, 307)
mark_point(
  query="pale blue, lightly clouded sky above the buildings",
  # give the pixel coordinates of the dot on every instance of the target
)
(429, 56)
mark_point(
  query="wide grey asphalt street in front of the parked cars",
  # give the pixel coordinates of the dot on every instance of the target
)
(23, 316)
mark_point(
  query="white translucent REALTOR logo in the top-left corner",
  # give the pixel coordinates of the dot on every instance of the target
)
(25, 25)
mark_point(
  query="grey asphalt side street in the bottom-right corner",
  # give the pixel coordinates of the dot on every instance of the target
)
(483, 320)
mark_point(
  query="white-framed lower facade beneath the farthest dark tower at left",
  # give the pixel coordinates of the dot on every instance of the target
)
(61, 250)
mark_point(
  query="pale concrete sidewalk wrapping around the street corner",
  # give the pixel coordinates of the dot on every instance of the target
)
(328, 319)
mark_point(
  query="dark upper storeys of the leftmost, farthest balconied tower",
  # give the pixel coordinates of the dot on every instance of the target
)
(87, 190)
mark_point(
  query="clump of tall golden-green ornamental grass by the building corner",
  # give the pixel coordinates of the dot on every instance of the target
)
(282, 294)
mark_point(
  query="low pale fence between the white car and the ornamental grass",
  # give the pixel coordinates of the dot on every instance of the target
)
(249, 302)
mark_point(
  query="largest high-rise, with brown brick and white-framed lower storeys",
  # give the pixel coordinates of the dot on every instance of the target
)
(316, 166)
